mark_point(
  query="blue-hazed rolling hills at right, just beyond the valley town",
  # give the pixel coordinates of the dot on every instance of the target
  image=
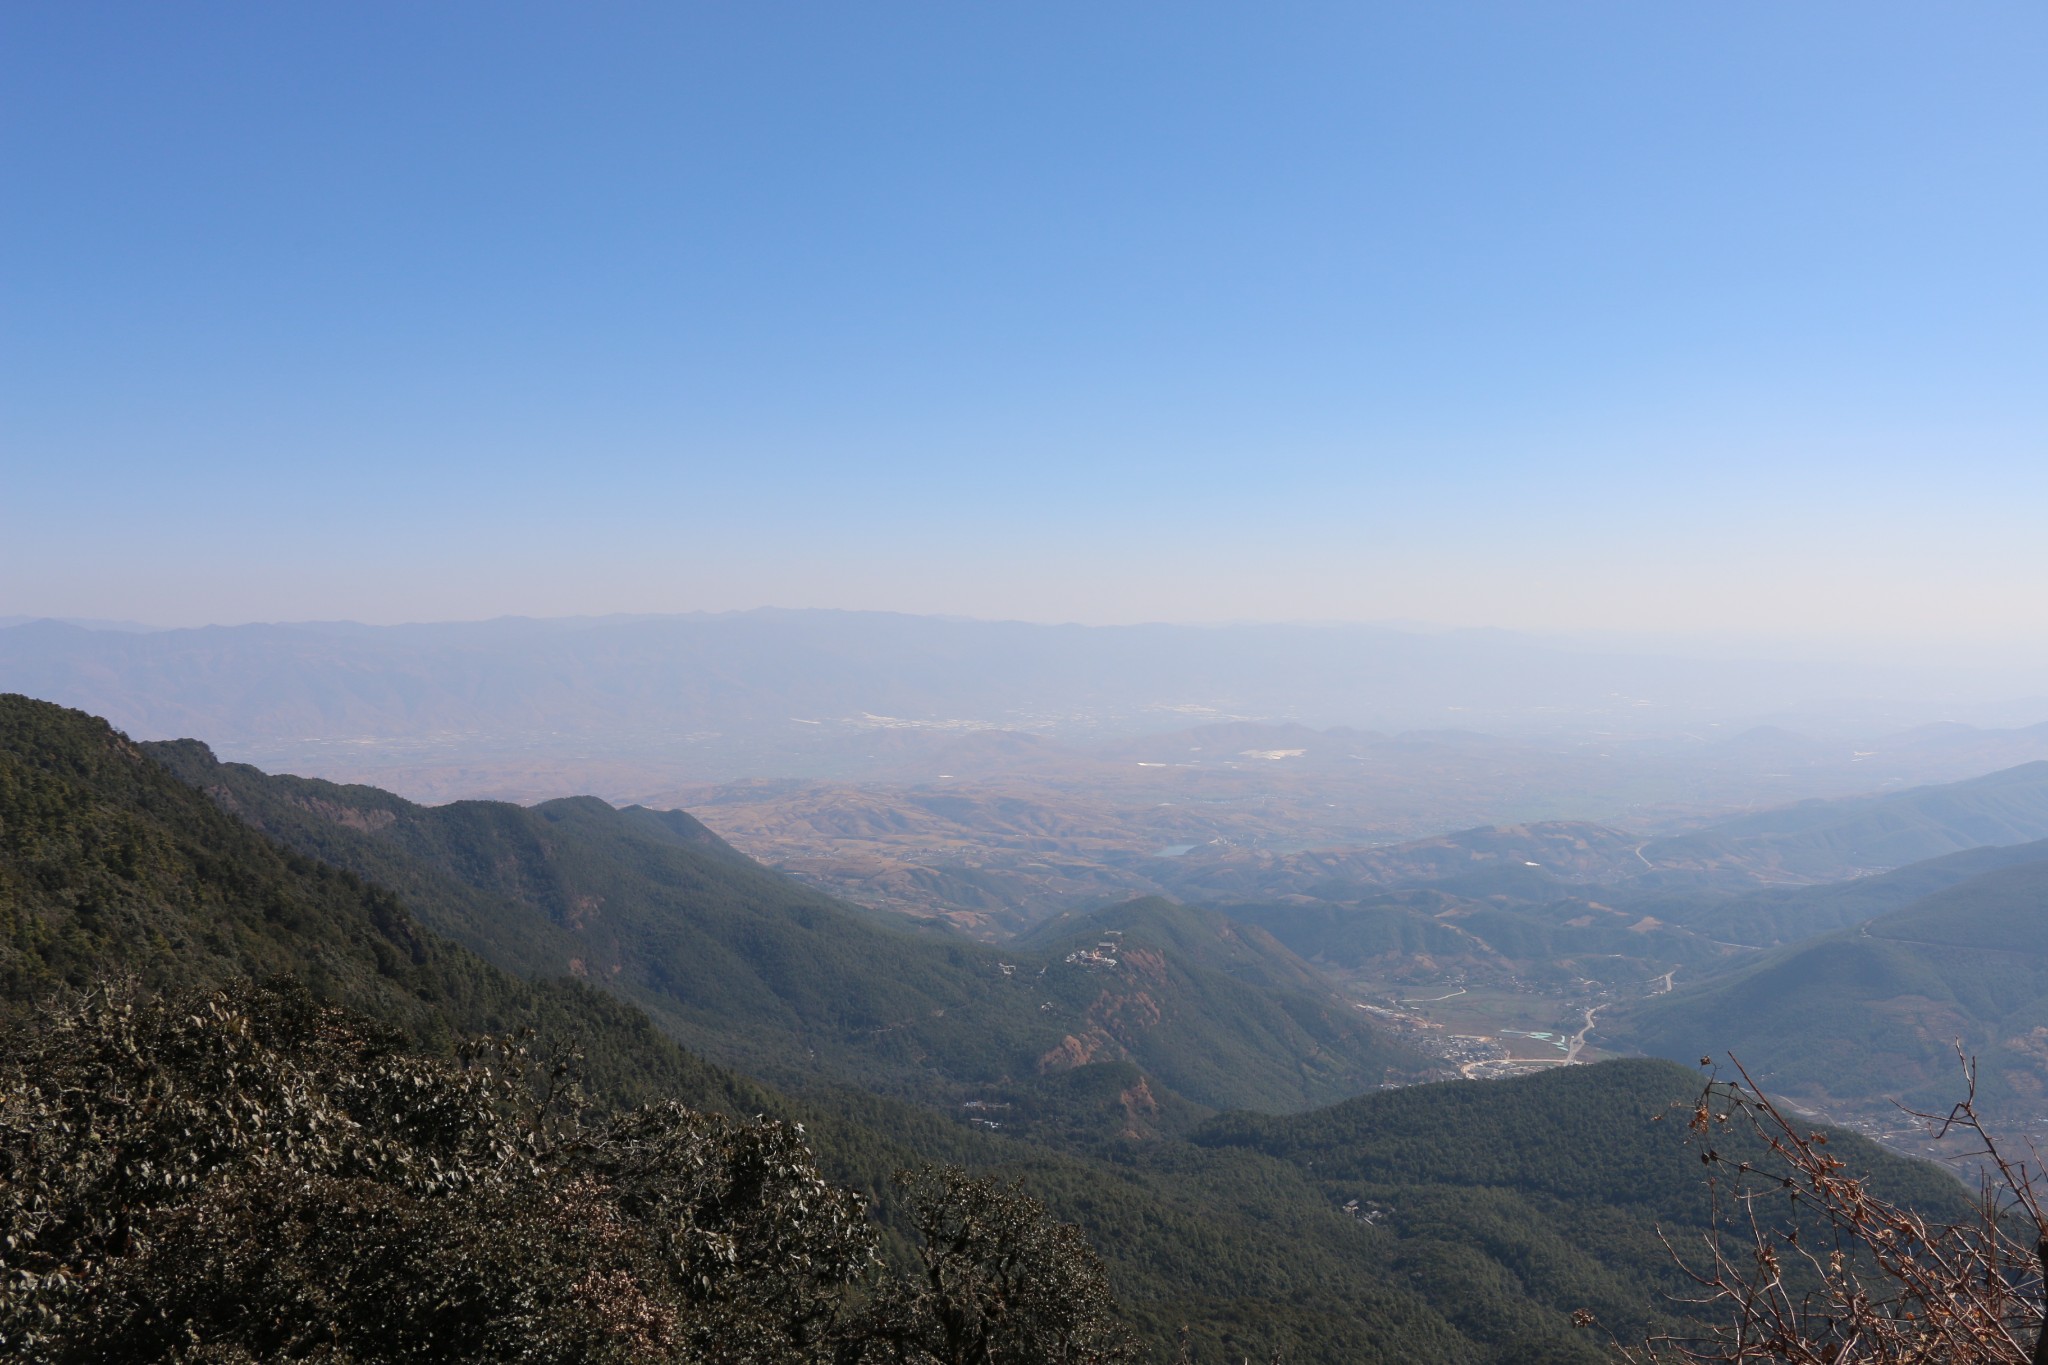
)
(1570, 901)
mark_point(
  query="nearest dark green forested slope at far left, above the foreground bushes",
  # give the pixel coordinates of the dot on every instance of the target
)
(114, 867)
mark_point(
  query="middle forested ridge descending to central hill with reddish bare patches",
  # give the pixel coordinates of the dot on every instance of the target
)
(763, 973)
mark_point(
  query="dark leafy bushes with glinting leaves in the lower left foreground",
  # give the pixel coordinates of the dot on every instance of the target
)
(251, 1176)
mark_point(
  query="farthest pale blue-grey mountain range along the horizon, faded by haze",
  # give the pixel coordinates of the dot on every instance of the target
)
(804, 693)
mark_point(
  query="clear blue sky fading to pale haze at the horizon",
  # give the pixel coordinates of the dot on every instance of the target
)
(1576, 316)
